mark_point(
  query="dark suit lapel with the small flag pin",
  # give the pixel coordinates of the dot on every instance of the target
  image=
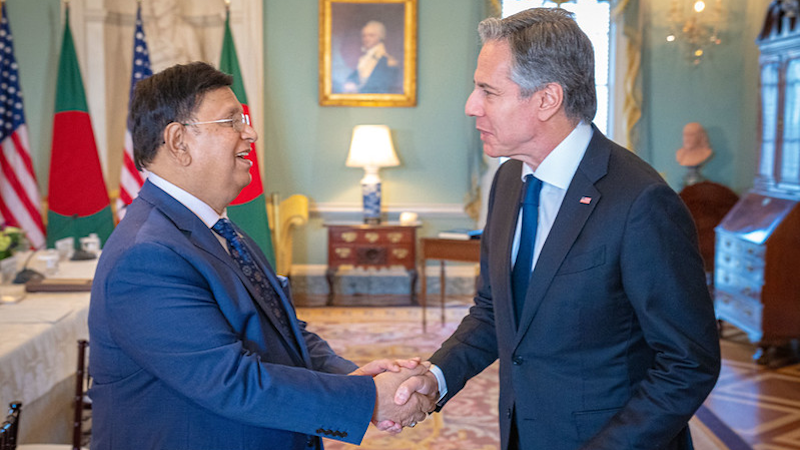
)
(571, 218)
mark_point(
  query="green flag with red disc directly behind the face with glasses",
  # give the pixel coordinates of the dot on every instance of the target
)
(249, 209)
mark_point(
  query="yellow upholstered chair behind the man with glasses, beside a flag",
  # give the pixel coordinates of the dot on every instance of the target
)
(284, 217)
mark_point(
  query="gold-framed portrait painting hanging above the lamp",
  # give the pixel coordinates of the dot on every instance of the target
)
(368, 52)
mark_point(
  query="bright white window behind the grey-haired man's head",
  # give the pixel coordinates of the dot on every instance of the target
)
(593, 16)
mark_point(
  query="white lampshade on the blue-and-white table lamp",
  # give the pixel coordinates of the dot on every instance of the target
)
(372, 146)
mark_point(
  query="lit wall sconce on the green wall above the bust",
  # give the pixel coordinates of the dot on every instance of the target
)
(697, 27)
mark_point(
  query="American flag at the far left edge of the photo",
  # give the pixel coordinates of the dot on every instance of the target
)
(20, 203)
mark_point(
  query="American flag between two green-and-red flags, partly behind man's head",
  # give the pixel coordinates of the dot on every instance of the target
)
(131, 180)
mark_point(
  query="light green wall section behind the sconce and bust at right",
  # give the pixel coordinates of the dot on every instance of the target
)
(720, 93)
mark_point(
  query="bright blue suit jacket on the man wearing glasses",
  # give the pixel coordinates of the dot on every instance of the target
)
(184, 358)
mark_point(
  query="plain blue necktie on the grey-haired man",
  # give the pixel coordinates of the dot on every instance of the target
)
(521, 275)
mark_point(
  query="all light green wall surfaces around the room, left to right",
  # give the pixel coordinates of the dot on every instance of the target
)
(306, 144)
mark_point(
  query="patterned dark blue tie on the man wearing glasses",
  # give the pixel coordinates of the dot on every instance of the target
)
(247, 264)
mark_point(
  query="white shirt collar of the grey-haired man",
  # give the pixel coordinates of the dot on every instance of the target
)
(560, 165)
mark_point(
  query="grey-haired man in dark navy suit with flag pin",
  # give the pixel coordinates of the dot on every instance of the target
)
(612, 344)
